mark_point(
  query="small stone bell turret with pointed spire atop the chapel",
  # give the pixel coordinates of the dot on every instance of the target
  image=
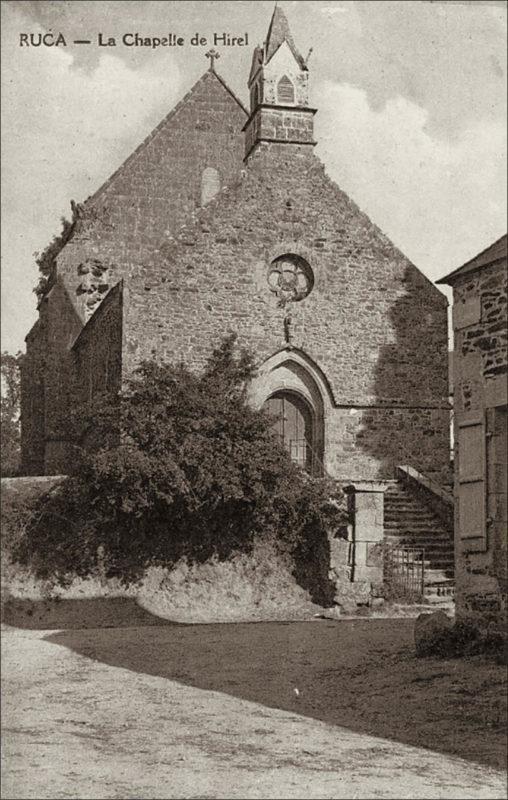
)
(279, 91)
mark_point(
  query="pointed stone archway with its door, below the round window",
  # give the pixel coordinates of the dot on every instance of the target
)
(295, 391)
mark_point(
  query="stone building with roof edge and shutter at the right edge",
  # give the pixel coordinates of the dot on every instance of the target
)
(480, 373)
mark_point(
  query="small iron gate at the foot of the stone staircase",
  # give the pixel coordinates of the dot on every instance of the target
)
(404, 573)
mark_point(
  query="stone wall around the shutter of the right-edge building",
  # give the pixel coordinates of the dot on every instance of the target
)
(480, 373)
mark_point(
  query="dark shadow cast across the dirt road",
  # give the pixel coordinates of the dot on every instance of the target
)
(357, 674)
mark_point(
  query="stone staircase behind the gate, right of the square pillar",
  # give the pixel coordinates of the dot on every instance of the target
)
(410, 522)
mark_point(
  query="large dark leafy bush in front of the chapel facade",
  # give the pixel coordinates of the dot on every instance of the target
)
(180, 465)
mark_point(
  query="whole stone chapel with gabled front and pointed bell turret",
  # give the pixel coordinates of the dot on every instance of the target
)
(224, 219)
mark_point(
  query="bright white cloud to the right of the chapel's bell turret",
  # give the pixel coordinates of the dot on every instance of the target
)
(441, 201)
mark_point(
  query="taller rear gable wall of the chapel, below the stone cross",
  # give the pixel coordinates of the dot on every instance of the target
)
(159, 186)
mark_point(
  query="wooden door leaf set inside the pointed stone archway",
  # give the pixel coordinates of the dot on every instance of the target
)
(293, 425)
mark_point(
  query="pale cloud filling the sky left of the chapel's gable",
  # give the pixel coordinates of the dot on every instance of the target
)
(64, 132)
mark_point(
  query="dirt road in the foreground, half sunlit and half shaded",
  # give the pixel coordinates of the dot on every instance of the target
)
(266, 710)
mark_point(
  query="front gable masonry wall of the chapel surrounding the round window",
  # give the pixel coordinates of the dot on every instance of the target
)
(373, 324)
